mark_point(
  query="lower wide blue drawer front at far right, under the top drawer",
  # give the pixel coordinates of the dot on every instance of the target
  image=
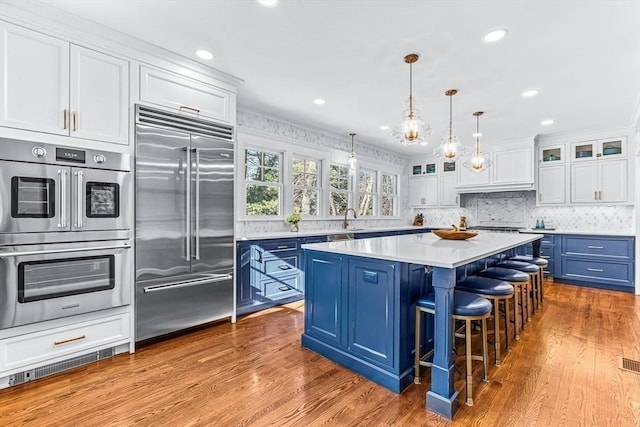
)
(619, 273)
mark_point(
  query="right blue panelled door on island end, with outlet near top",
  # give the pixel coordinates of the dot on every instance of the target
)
(373, 302)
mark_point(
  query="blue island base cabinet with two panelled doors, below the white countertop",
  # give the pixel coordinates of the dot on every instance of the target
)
(359, 312)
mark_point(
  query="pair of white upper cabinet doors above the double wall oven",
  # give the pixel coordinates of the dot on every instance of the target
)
(52, 86)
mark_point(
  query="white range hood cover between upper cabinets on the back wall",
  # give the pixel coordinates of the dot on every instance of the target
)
(512, 170)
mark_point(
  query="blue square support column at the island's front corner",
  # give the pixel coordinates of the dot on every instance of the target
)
(442, 398)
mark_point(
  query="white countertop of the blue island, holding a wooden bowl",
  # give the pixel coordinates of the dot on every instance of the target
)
(427, 248)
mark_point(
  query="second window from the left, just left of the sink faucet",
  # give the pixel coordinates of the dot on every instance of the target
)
(305, 186)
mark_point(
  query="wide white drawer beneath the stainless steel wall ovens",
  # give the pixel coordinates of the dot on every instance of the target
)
(57, 343)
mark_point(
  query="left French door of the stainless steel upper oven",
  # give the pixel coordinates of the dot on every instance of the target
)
(34, 198)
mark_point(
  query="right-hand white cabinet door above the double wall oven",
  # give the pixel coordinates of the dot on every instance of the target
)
(99, 96)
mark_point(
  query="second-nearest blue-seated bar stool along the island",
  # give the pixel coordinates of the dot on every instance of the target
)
(494, 290)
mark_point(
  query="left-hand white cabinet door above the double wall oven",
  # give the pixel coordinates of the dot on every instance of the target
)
(35, 80)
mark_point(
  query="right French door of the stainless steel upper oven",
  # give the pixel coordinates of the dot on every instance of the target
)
(100, 200)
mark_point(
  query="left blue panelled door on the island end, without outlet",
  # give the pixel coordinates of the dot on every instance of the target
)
(325, 297)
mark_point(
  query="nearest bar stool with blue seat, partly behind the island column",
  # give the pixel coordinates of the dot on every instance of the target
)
(467, 308)
